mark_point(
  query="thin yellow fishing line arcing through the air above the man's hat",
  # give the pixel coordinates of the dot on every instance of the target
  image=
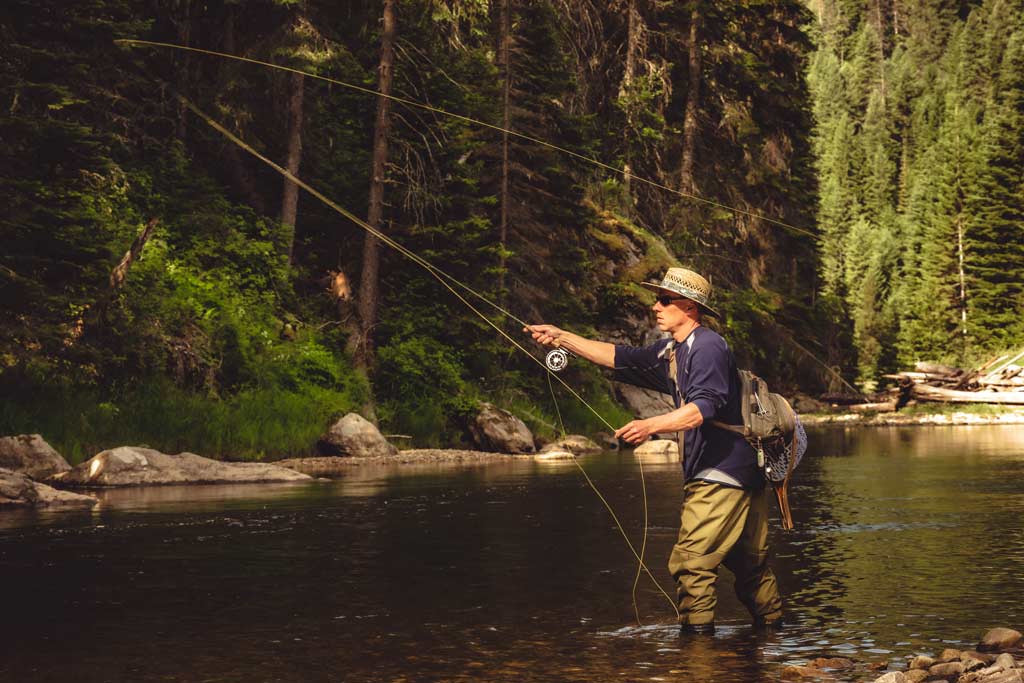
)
(412, 103)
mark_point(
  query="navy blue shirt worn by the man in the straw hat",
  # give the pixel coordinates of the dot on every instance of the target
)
(707, 377)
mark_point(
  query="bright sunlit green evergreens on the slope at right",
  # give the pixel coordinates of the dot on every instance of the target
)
(918, 140)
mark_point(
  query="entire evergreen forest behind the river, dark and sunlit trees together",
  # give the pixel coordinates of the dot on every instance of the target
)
(848, 174)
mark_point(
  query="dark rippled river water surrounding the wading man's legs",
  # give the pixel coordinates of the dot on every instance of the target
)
(909, 540)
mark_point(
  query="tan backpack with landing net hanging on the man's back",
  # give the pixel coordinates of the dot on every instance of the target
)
(774, 431)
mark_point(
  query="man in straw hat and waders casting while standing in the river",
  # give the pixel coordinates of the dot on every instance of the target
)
(724, 519)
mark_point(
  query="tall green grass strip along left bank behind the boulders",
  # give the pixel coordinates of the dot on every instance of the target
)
(253, 424)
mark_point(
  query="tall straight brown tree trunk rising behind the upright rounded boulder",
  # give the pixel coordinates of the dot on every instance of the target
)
(371, 250)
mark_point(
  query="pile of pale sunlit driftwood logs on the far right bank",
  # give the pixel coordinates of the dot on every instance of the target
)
(999, 381)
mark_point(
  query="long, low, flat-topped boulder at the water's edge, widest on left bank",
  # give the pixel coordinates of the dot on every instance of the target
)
(131, 466)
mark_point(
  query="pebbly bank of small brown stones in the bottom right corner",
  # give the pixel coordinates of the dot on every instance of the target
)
(999, 658)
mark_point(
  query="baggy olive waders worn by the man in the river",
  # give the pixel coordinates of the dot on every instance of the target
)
(723, 526)
